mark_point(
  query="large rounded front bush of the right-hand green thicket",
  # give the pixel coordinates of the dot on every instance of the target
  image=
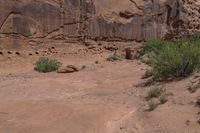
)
(176, 61)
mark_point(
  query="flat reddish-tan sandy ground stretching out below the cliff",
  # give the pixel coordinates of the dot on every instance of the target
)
(102, 98)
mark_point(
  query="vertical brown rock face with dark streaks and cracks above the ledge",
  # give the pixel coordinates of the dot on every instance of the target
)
(127, 20)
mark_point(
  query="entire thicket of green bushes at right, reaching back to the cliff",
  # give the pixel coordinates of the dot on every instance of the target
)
(173, 59)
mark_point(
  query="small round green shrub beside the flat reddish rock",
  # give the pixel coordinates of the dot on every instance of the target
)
(46, 65)
